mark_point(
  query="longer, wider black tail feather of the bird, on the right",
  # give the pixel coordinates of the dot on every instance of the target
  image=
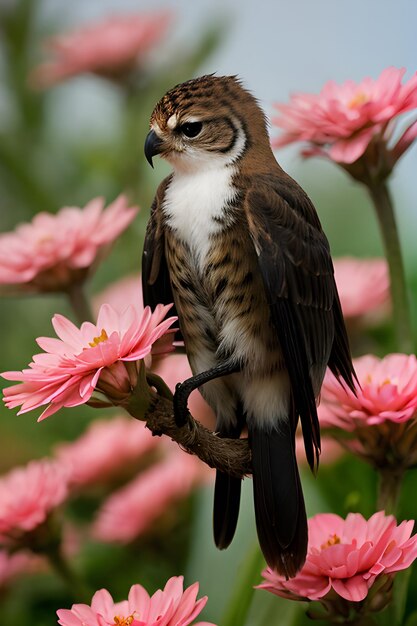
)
(279, 504)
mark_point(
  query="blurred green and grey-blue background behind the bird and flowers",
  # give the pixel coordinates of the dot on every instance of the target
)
(66, 143)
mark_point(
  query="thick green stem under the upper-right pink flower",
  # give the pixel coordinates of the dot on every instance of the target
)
(400, 302)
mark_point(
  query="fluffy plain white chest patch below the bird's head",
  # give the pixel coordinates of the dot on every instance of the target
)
(195, 205)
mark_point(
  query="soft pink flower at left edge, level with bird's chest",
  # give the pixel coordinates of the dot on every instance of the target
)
(54, 251)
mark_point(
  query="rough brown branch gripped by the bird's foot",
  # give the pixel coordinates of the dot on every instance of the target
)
(231, 456)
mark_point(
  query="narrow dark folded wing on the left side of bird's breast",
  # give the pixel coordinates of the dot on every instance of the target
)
(156, 283)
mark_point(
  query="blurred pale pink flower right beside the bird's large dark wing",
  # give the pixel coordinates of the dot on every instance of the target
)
(363, 286)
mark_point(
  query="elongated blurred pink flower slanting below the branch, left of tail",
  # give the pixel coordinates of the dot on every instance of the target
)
(133, 509)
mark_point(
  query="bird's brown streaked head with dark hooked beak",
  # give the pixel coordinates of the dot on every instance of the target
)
(207, 122)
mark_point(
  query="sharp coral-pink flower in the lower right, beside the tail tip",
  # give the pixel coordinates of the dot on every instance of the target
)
(347, 557)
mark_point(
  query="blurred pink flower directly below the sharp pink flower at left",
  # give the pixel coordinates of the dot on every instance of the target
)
(105, 450)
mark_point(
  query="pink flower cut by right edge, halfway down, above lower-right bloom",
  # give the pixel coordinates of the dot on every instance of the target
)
(379, 423)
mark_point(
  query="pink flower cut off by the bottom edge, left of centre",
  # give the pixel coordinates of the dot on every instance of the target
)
(171, 606)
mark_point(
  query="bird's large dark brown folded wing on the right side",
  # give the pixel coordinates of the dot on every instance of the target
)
(297, 271)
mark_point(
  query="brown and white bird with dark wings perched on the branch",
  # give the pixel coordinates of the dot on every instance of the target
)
(237, 245)
